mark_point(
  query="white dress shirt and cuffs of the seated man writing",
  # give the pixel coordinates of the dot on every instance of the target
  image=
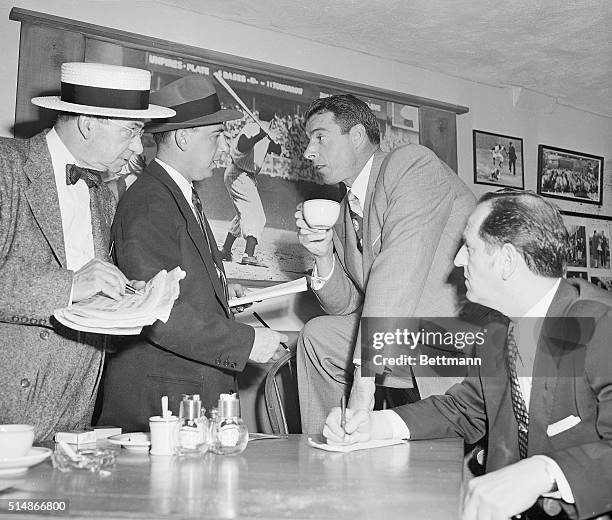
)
(526, 339)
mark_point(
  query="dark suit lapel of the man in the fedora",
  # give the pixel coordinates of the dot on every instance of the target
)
(193, 228)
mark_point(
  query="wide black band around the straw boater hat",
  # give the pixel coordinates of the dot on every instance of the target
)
(105, 97)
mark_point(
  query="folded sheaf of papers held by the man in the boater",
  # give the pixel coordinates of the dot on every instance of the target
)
(128, 315)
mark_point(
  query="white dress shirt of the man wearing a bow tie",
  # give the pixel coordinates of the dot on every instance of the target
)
(74, 206)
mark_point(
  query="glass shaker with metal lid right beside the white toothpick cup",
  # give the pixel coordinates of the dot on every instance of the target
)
(193, 427)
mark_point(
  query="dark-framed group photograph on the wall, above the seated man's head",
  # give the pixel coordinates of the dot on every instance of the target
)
(568, 175)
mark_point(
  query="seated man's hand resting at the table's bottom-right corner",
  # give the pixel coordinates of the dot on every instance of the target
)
(506, 492)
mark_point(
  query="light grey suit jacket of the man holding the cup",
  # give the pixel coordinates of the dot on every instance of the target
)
(415, 211)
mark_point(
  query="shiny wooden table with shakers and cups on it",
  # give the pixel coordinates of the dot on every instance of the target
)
(282, 478)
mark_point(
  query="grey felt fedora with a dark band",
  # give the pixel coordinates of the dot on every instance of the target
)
(196, 103)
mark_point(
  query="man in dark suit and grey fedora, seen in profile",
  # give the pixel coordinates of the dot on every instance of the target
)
(160, 224)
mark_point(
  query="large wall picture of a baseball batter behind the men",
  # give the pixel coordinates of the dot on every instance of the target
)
(266, 196)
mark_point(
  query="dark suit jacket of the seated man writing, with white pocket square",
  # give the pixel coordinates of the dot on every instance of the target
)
(572, 376)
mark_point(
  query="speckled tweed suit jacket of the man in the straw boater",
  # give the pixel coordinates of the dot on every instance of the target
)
(49, 374)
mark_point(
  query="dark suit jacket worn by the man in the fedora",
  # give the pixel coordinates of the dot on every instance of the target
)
(200, 348)
